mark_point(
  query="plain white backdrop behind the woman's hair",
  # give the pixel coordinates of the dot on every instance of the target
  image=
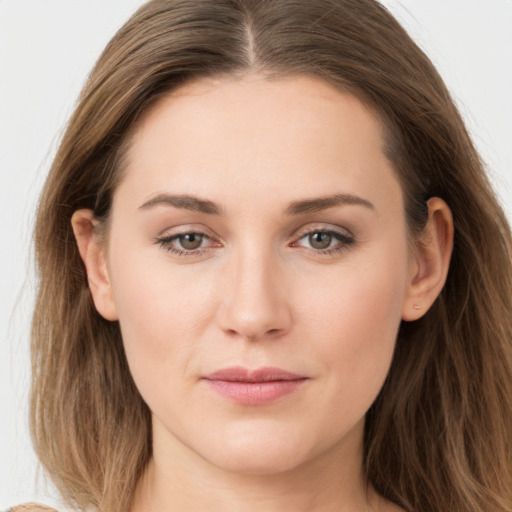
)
(46, 50)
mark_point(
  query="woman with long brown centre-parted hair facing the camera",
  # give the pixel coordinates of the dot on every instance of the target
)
(286, 279)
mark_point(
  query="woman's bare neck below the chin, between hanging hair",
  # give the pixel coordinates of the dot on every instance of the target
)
(178, 478)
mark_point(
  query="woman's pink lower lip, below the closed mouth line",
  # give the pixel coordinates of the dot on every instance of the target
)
(255, 393)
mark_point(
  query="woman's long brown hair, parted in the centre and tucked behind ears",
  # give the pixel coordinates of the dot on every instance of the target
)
(439, 436)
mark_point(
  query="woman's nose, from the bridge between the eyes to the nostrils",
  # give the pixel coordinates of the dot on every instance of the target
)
(255, 303)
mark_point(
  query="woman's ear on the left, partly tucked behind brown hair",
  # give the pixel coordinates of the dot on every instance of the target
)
(93, 253)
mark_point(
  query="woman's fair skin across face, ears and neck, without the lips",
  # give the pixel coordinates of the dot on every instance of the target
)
(257, 292)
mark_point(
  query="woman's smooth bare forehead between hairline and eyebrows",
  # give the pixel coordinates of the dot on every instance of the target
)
(228, 136)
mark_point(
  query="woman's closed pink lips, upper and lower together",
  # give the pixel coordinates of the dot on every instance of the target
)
(254, 387)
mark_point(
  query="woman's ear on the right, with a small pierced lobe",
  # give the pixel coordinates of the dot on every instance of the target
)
(430, 260)
